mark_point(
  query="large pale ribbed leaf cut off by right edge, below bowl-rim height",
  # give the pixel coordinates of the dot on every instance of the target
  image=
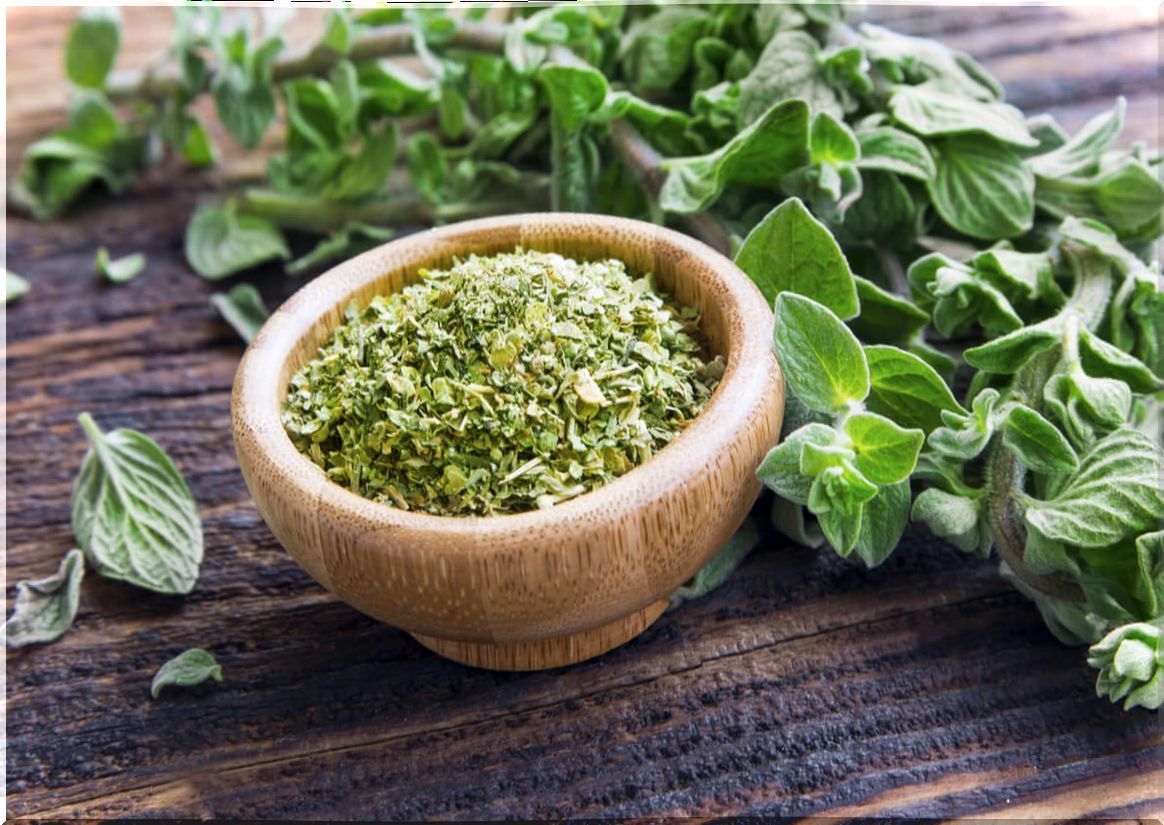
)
(1116, 494)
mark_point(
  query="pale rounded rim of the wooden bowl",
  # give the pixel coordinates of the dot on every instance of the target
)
(748, 352)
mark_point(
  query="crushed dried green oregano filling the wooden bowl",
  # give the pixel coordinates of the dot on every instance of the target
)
(501, 385)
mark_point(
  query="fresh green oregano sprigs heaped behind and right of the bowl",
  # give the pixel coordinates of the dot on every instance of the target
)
(968, 309)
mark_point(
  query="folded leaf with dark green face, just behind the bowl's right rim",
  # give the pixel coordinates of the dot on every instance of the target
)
(758, 157)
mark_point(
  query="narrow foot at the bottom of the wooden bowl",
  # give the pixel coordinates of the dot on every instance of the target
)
(546, 653)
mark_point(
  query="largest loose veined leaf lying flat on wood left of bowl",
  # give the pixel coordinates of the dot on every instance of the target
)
(133, 514)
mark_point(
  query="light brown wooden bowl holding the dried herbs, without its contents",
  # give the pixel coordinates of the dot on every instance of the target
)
(538, 589)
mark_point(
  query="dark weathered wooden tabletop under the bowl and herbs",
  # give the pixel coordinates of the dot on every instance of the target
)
(805, 686)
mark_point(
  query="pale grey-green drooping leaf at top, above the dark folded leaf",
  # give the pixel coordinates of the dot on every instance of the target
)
(786, 69)
